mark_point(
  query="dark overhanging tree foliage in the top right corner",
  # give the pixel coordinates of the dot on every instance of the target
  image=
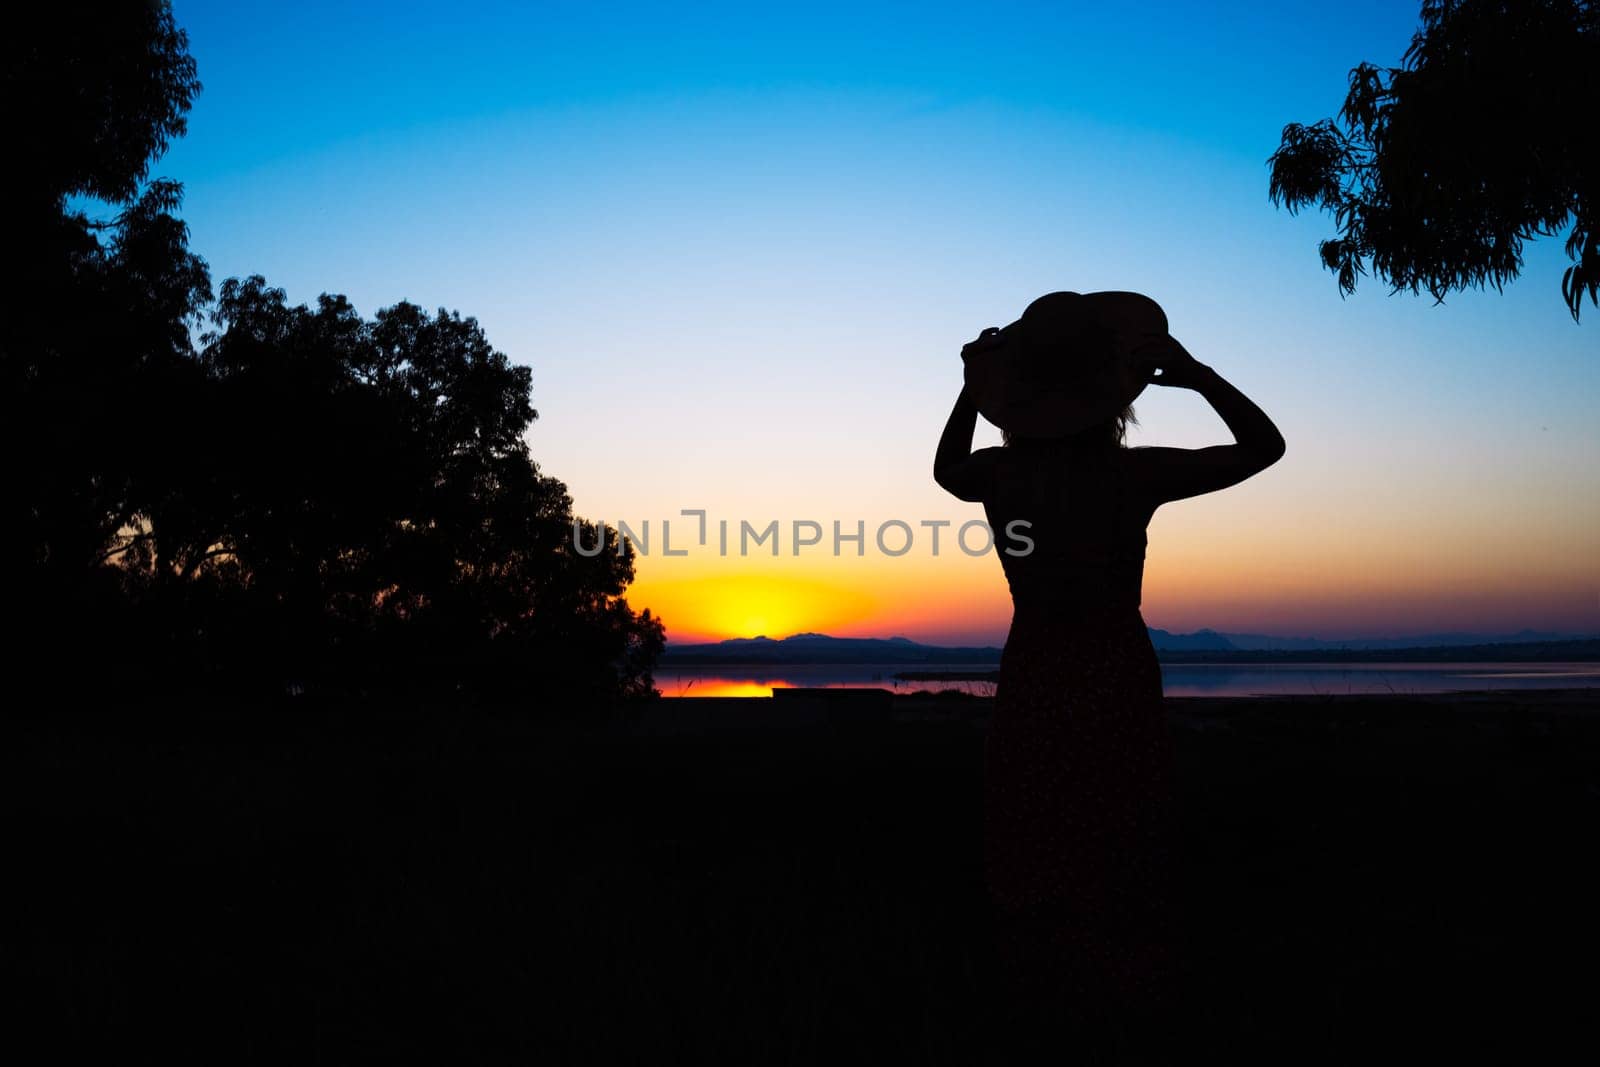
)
(1439, 170)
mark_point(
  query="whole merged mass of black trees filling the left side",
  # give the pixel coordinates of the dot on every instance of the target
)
(230, 490)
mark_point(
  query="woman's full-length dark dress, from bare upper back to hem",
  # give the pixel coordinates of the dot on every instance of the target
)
(1079, 765)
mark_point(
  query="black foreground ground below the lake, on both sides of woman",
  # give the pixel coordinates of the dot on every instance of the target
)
(294, 885)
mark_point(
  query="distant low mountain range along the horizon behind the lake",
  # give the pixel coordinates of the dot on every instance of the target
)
(1202, 645)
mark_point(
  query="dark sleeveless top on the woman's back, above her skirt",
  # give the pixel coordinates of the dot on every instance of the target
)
(1087, 524)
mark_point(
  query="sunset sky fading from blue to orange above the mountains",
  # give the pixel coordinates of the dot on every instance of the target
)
(742, 247)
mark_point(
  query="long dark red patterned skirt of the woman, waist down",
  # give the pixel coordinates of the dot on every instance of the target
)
(1079, 815)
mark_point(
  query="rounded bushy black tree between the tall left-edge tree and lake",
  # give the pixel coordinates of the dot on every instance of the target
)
(364, 513)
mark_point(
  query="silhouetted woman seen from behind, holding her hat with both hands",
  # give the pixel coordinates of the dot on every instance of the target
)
(1079, 778)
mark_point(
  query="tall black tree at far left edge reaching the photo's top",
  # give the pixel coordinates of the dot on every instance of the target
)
(94, 314)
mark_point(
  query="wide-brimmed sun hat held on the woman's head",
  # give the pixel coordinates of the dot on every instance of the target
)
(1063, 366)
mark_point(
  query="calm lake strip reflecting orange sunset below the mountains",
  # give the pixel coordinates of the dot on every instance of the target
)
(1178, 679)
